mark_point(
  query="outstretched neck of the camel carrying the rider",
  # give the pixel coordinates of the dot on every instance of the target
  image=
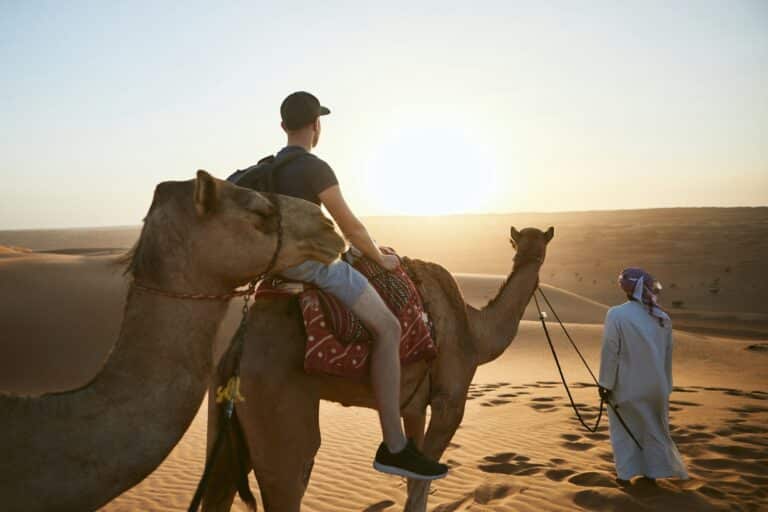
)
(494, 327)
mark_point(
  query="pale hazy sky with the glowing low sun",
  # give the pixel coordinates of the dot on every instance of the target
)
(437, 107)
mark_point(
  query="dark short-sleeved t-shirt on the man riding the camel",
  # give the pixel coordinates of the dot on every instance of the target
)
(305, 176)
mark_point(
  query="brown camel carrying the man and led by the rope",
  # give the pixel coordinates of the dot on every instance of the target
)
(280, 415)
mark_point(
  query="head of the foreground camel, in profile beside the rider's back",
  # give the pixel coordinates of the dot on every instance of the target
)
(212, 234)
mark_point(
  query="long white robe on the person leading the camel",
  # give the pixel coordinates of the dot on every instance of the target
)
(636, 364)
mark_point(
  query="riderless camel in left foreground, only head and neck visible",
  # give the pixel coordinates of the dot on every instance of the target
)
(78, 449)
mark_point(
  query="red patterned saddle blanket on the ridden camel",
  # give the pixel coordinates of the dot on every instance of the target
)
(337, 341)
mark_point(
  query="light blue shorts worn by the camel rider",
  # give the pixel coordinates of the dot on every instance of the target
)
(339, 278)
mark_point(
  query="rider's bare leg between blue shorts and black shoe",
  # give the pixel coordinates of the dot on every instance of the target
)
(385, 364)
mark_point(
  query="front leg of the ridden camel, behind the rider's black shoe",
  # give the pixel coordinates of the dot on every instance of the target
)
(447, 414)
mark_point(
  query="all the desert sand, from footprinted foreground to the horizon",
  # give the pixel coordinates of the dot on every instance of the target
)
(519, 446)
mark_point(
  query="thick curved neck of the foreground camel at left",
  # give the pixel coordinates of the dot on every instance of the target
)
(121, 425)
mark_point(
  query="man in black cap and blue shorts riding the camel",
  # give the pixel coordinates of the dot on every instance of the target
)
(302, 174)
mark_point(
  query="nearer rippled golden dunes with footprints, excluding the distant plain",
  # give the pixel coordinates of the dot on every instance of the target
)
(519, 447)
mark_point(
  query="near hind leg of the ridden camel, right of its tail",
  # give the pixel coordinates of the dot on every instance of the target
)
(283, 436)
